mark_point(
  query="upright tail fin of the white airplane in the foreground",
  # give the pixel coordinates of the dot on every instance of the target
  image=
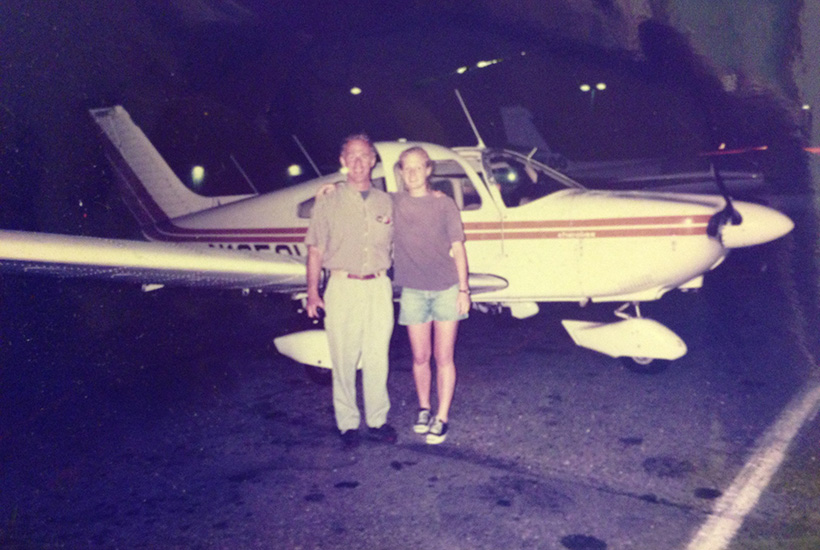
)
(149, 187)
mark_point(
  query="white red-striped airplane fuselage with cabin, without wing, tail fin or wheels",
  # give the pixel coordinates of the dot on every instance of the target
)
(563, 243)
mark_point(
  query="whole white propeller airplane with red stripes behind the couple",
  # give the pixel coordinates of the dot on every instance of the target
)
(533, 235)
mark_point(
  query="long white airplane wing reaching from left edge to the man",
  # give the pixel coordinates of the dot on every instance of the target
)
(148, 263)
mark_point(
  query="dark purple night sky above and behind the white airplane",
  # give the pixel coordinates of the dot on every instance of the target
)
(206, 84)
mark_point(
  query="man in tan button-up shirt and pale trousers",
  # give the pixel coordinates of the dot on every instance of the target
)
(351, 234)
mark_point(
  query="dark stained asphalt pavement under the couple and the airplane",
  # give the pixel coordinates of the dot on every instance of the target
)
(177, 426)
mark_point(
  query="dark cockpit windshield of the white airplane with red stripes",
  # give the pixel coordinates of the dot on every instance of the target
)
(521, 180)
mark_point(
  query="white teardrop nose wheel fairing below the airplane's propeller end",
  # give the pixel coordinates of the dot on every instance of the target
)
(633, 337)
